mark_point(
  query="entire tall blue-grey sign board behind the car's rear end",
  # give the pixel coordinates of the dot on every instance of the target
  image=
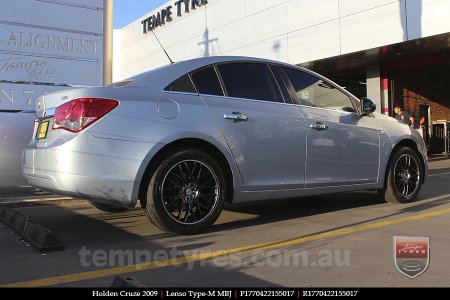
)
(45, 46)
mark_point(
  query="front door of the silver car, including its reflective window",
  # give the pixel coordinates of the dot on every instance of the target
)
(339, 151)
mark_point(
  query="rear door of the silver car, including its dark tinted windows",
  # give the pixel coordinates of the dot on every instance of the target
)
(265, 135)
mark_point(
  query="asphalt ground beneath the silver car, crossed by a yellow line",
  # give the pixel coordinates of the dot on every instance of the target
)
(342, 240)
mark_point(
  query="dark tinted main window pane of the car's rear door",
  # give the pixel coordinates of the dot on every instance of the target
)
(250, 81)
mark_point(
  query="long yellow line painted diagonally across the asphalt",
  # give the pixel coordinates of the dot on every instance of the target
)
(215, 254)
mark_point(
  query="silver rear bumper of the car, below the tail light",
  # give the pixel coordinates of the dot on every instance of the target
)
(97, 169)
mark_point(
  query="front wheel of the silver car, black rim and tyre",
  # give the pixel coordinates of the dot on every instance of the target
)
(404, 177)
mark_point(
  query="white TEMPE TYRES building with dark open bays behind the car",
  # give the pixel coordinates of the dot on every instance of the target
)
(392, 51)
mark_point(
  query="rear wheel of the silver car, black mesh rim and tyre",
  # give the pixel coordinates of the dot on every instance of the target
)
(186, 193)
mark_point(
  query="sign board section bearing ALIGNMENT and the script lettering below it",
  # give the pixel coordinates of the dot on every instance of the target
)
(50, 56)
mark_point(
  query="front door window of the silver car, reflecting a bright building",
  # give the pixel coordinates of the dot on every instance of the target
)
(313, 91)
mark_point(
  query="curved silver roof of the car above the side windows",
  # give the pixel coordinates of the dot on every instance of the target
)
(165, 75)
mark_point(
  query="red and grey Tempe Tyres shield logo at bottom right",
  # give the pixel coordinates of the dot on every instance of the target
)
(412, 255)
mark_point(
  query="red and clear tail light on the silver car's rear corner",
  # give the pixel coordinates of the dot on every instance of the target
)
(76, 115)
